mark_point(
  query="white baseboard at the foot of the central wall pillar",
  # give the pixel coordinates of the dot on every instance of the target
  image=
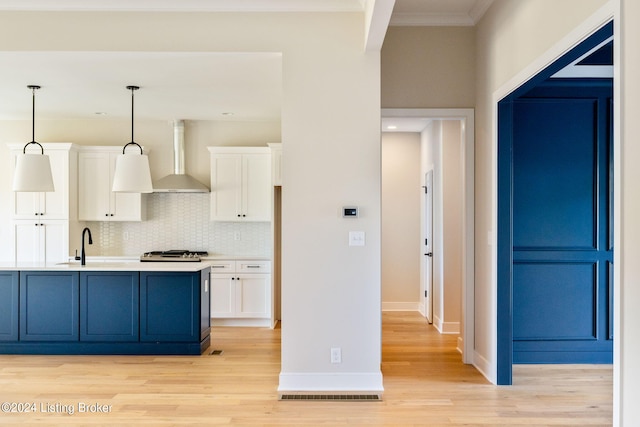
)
(331, 382)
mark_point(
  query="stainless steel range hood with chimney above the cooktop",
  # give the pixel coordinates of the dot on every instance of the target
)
(179, 181)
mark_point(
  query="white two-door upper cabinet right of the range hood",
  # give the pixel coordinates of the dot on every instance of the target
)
(240, 183)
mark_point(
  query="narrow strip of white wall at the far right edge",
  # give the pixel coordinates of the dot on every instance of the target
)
(627, 372)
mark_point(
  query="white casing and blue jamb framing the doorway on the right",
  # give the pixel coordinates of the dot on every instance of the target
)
(557, 57)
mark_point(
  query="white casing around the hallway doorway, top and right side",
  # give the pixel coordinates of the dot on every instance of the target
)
(467, 119)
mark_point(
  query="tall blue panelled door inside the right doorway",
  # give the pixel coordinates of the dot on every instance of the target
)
(562, 250)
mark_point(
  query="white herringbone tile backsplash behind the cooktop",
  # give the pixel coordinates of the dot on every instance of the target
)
(181, 221)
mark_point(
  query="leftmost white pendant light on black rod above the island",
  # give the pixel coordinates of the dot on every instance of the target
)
(33, 171)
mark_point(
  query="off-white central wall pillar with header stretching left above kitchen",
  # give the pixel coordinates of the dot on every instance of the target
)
(331, 154)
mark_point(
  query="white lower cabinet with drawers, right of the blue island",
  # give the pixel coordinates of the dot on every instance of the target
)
(241, 292)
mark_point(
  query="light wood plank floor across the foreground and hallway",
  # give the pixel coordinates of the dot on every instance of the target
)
(425, 385)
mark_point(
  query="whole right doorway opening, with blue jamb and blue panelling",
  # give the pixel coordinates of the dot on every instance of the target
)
(585, 333)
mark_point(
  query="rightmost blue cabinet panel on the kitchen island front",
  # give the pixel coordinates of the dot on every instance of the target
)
(169, 307)
